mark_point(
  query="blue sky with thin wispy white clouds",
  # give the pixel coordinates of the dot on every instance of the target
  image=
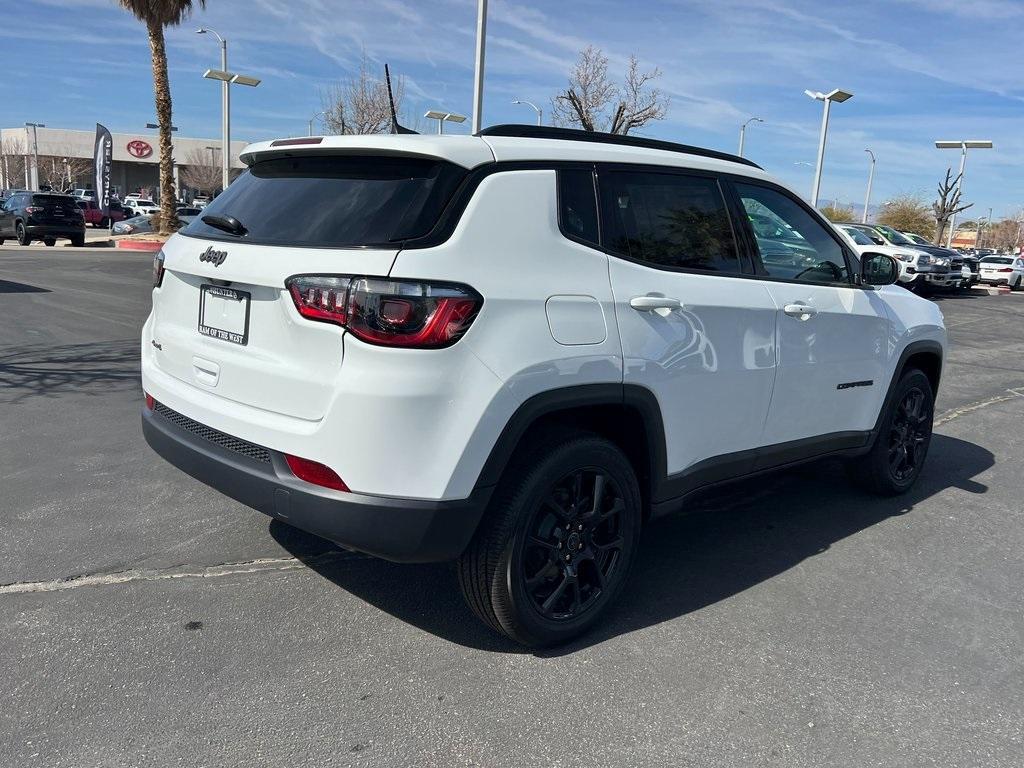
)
(920, 71)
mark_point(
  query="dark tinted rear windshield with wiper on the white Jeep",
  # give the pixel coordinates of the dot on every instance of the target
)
(334, 201)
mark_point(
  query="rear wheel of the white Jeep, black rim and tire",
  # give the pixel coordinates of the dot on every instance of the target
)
(543, 535)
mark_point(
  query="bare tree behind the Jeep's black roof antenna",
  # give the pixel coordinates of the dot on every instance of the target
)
(360, 105)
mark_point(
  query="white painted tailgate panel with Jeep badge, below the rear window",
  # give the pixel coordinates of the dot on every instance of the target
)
(287, 365)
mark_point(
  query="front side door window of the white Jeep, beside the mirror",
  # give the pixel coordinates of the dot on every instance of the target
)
(793, 244)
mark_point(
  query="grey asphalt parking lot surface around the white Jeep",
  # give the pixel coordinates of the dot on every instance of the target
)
(147, 621)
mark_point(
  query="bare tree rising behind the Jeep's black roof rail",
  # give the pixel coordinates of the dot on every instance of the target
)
(593, 103)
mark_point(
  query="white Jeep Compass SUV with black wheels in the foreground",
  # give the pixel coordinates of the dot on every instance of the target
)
(517, 349)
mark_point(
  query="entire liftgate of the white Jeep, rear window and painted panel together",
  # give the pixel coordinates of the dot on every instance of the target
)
(223, 318)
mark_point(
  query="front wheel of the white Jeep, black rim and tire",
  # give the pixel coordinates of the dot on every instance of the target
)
(897, 458)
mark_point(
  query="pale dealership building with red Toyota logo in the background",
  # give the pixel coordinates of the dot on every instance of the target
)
(136, 163)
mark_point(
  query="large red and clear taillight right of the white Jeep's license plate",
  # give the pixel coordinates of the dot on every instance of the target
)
(391, 313)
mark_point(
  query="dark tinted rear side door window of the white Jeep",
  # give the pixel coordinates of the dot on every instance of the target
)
(670, 221)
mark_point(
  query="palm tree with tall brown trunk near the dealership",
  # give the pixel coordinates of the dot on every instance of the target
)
(157, 15)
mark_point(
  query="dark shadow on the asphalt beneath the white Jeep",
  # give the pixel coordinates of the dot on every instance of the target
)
(729, 541)
